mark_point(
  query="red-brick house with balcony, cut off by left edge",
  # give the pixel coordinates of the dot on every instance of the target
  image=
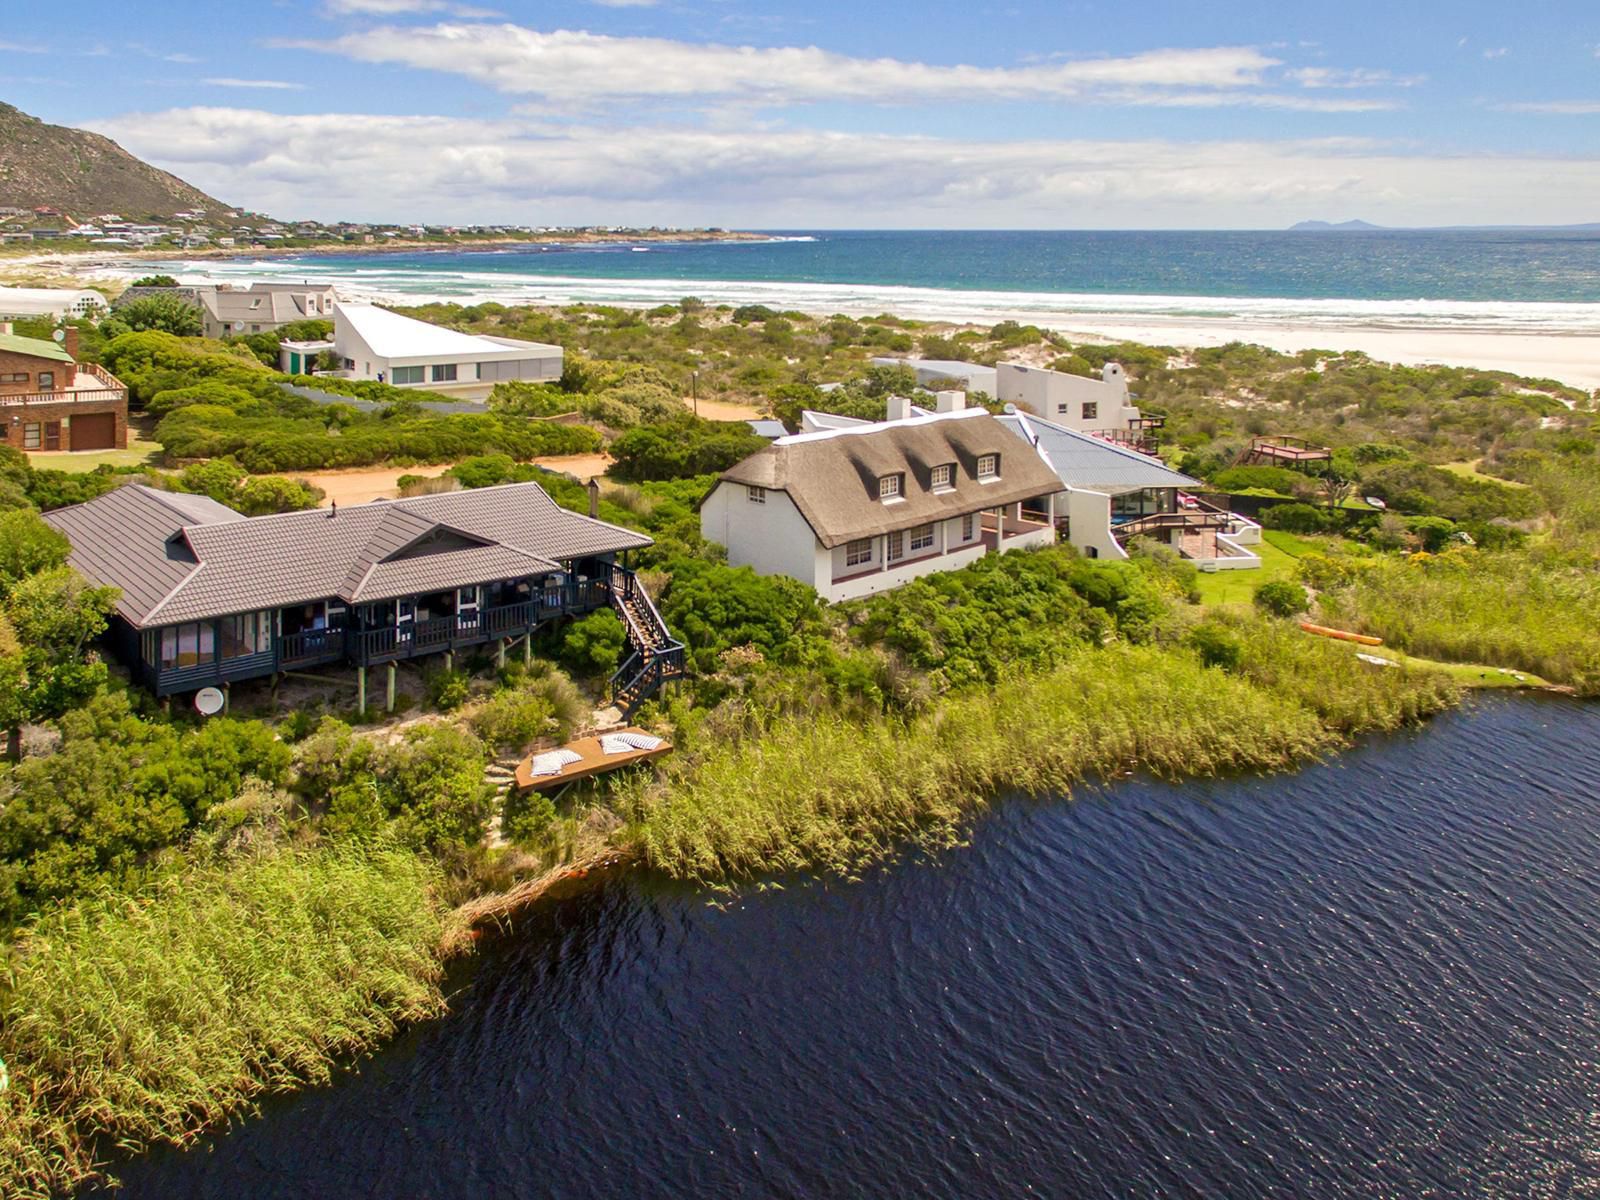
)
(49, 401)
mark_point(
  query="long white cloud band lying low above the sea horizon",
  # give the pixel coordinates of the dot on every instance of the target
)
(516, 170)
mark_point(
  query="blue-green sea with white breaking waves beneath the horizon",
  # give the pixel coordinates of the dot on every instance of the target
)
(1441, 281)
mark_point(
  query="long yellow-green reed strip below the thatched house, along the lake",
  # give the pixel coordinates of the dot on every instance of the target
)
(834, 796)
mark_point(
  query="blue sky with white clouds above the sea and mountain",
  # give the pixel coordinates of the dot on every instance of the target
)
(839, 114)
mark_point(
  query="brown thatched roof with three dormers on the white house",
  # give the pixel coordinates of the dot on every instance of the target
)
(833, 476)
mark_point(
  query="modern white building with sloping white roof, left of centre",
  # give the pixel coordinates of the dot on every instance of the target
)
(380, 345)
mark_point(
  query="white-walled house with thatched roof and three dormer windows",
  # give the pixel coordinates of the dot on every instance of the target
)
(865, 508)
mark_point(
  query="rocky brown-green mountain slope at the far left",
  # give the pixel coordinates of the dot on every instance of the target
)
(84, 174)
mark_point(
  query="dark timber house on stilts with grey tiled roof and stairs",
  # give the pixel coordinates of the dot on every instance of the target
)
(210, 598)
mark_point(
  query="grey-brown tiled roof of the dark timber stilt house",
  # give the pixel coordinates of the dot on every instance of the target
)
(175, 569)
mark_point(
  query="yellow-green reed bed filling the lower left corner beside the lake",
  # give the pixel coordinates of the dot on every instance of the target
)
(137, 1022)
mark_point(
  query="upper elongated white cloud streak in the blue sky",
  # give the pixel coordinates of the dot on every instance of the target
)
(582, 70)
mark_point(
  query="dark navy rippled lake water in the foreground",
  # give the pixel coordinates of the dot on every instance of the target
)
(1374, 978)
